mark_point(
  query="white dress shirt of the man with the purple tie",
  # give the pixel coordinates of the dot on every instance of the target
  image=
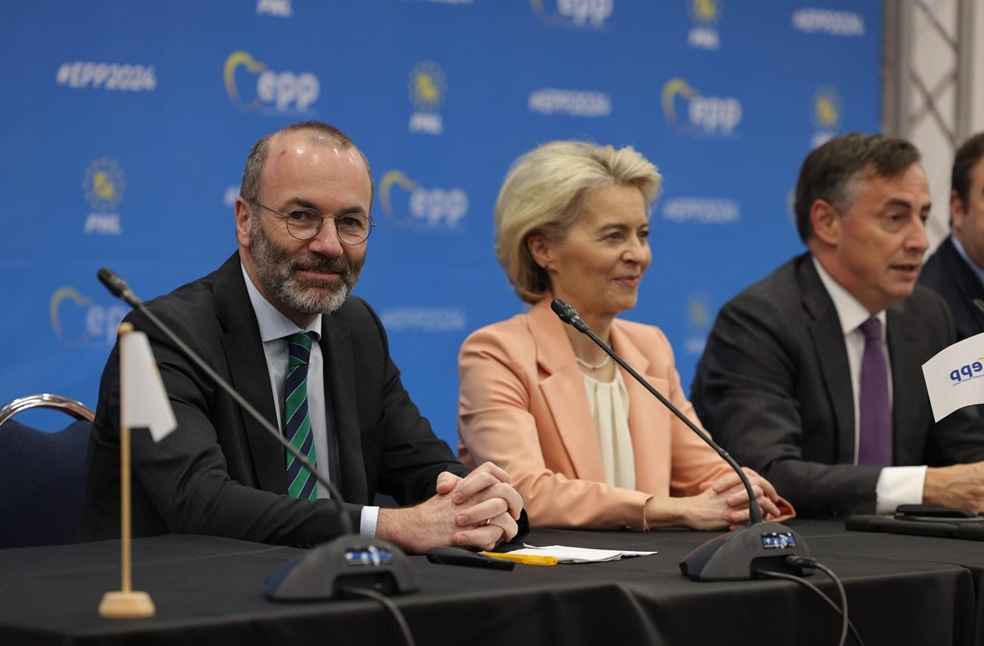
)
(896, 485)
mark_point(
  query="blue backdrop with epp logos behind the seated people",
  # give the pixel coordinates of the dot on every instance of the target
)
(126, 126)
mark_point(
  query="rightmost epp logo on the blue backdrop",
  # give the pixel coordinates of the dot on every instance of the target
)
(687, 109)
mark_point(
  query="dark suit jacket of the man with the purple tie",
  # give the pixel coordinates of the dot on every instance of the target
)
(774, 387)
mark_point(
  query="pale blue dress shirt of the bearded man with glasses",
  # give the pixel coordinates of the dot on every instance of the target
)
(274, 328)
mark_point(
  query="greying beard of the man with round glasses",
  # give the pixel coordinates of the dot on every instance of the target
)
(276, 270)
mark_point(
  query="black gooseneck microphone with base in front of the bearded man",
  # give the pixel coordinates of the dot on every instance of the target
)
(326, 570)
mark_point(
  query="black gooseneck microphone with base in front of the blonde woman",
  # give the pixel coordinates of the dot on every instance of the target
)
(734, 556)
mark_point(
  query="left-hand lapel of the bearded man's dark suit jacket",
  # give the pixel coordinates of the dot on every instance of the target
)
(250, 376)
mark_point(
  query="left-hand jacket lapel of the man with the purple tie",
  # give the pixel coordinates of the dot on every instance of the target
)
(831, 352)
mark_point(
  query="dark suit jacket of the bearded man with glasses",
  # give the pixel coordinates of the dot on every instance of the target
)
(220, 473)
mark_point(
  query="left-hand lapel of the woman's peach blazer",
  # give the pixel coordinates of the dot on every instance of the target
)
(563, 389)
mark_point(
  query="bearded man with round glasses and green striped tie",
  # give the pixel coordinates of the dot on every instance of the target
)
(278, 320)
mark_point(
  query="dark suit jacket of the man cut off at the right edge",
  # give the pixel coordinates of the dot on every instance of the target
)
(949, 275)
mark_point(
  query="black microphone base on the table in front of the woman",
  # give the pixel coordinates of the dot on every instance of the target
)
(737, 555)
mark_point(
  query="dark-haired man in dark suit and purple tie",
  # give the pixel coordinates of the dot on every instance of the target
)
(812, 375)
